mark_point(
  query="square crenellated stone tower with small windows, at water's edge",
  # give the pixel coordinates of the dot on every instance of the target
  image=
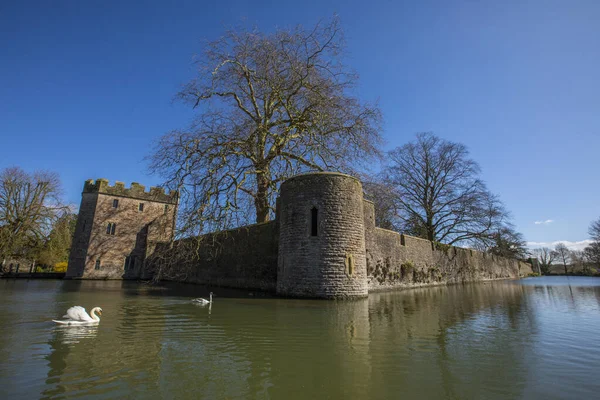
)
(117, 228)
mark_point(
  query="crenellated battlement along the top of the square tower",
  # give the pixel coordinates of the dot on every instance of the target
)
(135, 191)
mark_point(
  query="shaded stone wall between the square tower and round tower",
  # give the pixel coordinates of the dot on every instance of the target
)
(244, 258)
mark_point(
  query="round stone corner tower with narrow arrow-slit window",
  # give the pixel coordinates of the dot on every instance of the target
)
(322, 237)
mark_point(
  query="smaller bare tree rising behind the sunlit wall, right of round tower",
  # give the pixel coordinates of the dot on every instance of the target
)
(439, 195)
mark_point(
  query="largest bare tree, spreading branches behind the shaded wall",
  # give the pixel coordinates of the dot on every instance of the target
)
(270, 106)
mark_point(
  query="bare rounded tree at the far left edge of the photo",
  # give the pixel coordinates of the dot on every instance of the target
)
(29, 205)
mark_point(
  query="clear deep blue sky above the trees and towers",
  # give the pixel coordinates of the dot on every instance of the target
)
(86, 87)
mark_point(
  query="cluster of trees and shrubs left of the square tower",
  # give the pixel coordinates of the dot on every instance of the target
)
(36, 226)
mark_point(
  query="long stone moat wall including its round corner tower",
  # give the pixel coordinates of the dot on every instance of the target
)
(345, 255)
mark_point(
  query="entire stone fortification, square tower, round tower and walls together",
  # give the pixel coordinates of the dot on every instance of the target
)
(322, 244)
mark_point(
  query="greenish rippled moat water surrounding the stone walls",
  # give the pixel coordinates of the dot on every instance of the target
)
(531, 339)
